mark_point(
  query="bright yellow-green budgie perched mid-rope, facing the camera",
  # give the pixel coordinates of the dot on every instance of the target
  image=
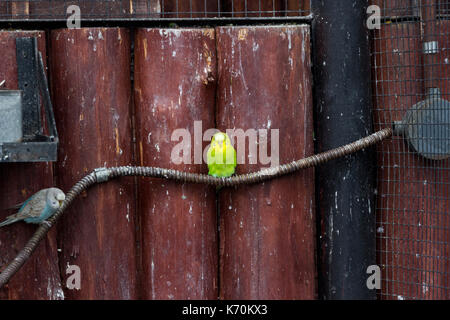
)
(221, 156)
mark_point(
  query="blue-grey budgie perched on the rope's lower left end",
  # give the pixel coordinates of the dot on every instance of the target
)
(38, 208)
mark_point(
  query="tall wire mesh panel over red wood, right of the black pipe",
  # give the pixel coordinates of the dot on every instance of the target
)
(413, 207)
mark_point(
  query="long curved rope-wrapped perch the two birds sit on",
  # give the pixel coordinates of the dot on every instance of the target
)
(104, 174)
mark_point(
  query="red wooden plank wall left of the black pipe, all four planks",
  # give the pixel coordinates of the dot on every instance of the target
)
(155, 239)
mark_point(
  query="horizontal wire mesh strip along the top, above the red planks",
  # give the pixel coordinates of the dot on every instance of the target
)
(153, 9)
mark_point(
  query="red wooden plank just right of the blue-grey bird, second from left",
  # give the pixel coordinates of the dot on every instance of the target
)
(91, 89)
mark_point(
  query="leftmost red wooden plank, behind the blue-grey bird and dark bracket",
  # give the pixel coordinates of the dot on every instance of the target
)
(39, 278)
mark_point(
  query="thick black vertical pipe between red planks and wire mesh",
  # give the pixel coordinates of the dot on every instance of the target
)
(345, 187)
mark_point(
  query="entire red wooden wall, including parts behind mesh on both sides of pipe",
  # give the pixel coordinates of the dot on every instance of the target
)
(132, 243)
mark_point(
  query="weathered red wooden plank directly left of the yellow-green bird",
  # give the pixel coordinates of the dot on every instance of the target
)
(175, 73)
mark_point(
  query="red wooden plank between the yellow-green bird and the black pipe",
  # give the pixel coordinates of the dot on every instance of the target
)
(267, 230)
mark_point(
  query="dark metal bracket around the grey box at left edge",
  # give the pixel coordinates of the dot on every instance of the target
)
(35, 146)
